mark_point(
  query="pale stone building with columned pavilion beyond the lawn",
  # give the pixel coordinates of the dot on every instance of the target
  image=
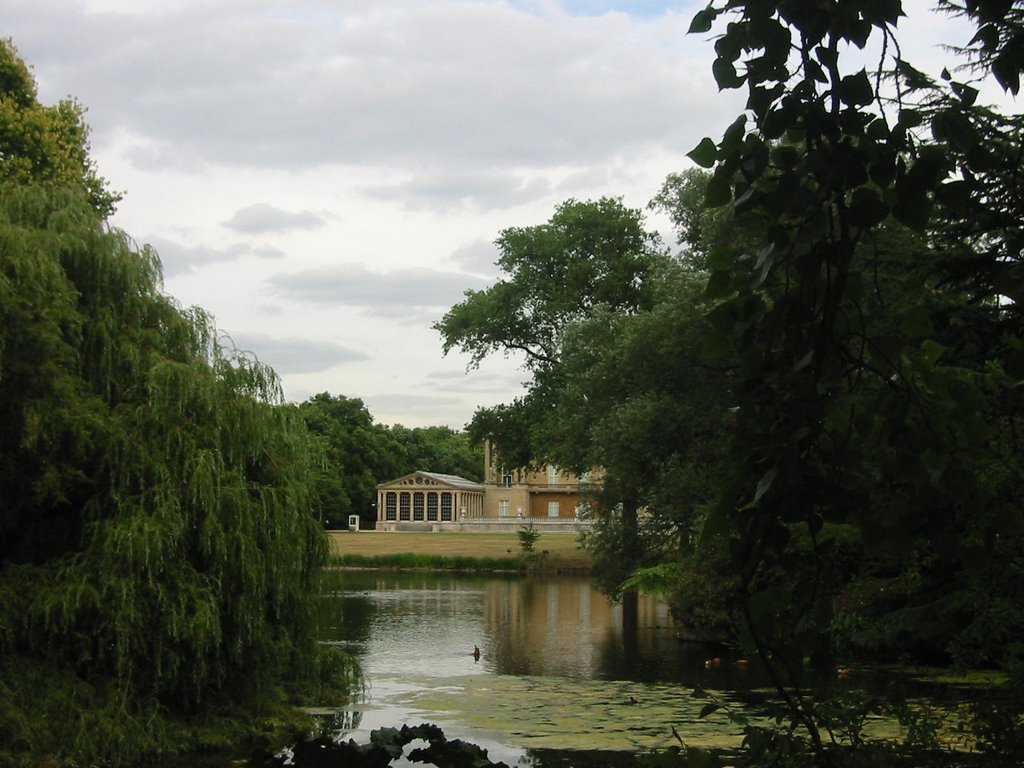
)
(545, 497)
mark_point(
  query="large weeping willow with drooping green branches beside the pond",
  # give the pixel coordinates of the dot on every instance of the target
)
(159, 538)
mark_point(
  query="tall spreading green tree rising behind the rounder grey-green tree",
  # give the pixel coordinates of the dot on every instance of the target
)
(590, 260)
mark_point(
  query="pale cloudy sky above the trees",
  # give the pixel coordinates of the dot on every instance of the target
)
(327, 178)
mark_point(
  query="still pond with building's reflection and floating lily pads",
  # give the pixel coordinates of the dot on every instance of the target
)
(559, 670)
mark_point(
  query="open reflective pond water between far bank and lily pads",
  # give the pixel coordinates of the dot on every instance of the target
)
(551, 627)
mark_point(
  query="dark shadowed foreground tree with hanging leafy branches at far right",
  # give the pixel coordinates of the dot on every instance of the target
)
(876, 322)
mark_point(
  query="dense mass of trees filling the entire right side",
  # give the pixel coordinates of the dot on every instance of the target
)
(809, 420)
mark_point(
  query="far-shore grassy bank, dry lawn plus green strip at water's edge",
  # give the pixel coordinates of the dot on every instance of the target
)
(456, 551)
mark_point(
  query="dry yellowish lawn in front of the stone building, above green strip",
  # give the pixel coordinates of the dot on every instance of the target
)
(563, 549)
